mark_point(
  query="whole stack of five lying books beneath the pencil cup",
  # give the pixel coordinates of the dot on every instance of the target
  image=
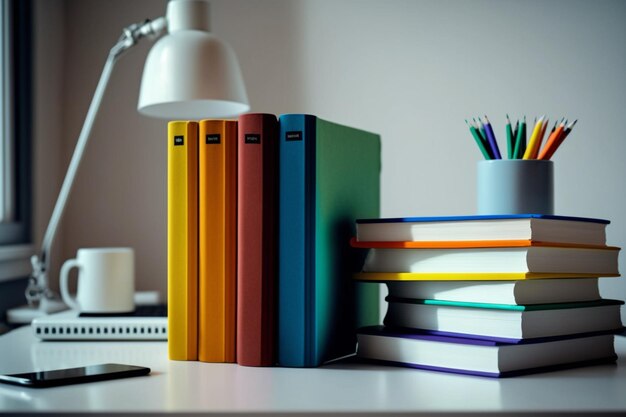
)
(490, 295)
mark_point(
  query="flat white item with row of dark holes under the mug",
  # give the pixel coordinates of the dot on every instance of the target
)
(147, 322)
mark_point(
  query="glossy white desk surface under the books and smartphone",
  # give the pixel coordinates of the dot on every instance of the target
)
(195, 387)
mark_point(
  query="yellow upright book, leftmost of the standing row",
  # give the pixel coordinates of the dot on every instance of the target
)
(182, 240)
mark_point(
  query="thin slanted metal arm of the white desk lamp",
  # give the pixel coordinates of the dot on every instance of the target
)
(38, 282)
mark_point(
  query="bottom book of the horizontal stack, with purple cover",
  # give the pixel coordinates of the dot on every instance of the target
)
(482, 357)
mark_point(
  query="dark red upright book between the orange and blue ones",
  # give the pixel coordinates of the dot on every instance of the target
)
(257, 239)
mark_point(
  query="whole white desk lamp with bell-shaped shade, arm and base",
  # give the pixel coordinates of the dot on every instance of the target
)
(189, 74)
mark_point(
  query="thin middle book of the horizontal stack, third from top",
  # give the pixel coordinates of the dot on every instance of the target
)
(542, 291)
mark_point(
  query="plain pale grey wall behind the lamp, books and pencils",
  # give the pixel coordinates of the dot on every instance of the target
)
(409, 70)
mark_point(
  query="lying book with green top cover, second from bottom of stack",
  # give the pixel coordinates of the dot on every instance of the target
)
(505, 322)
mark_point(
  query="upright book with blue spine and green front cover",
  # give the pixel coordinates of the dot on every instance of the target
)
(329, 177)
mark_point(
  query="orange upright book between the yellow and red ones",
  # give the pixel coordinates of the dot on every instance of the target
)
(218, 240)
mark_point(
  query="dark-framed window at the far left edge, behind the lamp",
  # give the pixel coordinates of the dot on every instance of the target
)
(15, 132)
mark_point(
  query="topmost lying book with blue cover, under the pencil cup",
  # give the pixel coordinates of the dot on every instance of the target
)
(529, 227)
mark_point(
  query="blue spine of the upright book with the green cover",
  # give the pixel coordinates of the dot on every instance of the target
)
(296, 289)
